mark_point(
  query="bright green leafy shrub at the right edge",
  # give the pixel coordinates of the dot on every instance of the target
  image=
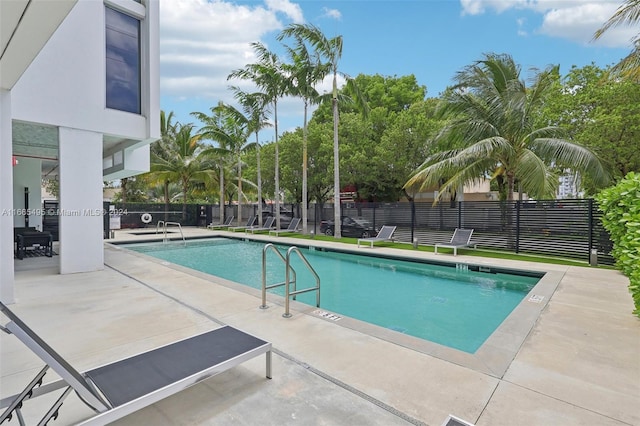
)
(621, 207)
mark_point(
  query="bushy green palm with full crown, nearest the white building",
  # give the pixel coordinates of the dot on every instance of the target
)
(183, 162)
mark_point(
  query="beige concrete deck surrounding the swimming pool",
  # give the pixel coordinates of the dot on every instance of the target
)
(577, 366)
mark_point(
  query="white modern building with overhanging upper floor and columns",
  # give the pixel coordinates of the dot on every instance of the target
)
(80, 103)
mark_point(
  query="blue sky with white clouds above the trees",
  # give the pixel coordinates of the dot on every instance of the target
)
(202, 41)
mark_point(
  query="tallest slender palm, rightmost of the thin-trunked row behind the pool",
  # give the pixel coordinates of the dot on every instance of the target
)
(331, 50)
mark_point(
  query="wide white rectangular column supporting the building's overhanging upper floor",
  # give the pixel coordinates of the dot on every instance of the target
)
(80, 222)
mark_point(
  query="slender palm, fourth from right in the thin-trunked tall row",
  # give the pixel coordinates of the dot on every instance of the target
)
(255, 107)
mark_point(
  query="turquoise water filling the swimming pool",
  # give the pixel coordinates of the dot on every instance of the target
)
(453, 306)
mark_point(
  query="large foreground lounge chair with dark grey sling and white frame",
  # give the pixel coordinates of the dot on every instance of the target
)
(123, 387)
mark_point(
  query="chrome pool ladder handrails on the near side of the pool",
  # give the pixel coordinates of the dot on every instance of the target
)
(290, 278)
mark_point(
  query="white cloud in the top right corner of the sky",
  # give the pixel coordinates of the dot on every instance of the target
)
(575, 20)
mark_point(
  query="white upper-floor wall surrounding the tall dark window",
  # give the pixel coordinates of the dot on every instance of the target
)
(65, 84)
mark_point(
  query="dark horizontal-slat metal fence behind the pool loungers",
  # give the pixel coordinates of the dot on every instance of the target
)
(564, 228)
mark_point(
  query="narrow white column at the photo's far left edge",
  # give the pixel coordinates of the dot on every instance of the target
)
(6, 199)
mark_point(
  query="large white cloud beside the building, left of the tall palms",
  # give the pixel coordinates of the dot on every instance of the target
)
(202, 41)
